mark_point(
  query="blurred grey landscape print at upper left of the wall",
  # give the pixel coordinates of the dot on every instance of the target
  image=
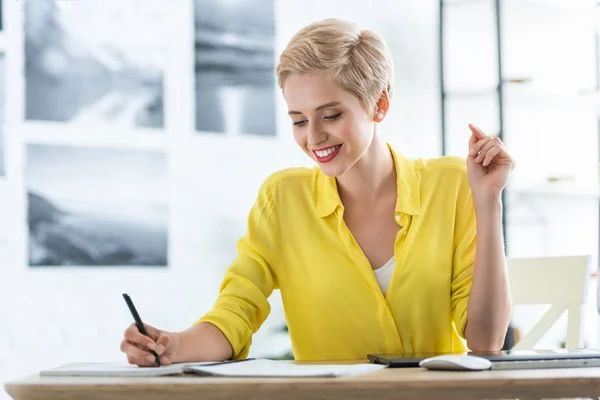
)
(95, 62)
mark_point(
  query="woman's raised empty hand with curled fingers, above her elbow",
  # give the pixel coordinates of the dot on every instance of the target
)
(488, 165)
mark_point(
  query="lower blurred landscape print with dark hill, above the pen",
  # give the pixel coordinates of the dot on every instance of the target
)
(96, 206)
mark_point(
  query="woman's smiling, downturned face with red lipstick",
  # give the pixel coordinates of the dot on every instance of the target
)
(329, 123)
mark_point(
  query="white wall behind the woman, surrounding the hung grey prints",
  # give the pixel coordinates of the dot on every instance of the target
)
(53, 316)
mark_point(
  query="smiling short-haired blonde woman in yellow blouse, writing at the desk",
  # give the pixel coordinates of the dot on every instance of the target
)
(372, 252)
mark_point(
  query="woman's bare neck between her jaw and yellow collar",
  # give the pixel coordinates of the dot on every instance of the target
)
(372, 177)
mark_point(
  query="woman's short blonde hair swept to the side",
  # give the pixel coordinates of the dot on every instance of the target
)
(358, 60)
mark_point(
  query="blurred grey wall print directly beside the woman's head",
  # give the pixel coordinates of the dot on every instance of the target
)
(235, 66)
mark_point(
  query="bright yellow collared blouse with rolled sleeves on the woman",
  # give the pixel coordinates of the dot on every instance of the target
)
(297, 242)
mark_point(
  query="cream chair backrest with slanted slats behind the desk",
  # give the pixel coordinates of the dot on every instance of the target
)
(561, 282)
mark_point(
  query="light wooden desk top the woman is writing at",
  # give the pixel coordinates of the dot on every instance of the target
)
(413, 383)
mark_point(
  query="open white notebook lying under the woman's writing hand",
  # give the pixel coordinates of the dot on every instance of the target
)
(243, 368)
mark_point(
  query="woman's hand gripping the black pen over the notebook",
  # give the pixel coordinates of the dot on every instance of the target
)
(136, 346)
